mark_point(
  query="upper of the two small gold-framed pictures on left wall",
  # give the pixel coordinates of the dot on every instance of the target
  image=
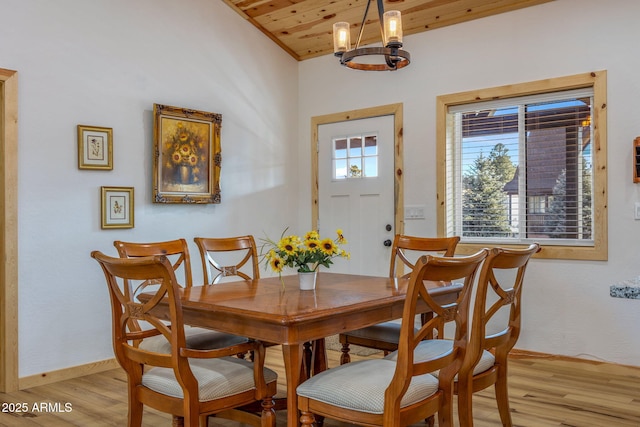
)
(95, 147)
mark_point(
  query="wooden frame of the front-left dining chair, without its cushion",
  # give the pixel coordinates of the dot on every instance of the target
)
(126, 310)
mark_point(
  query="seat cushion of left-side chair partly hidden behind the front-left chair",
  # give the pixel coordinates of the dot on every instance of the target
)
(196, 338)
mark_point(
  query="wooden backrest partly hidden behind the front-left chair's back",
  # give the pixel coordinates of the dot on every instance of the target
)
(177, 251)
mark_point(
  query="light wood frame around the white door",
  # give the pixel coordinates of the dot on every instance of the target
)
(394, 110)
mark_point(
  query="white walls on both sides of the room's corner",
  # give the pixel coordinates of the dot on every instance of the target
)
(106, 62)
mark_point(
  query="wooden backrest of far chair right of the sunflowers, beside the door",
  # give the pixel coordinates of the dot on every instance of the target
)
(404, 246)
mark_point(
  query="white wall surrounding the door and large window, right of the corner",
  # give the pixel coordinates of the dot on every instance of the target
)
(567, 308)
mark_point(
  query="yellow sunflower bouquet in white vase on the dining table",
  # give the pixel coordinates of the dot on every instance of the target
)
(305, 254)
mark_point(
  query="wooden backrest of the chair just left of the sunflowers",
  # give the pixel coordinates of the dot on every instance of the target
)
(228, 257)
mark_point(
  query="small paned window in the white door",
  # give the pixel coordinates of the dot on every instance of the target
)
(355, 157)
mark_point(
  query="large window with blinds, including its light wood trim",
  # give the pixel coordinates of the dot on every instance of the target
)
(520, 163)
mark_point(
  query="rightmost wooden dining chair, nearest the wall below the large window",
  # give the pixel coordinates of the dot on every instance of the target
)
(494, 330)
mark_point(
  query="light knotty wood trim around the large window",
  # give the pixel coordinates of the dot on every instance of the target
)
(596, 80)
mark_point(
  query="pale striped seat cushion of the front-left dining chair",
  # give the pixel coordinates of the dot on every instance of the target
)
(217, 378)
